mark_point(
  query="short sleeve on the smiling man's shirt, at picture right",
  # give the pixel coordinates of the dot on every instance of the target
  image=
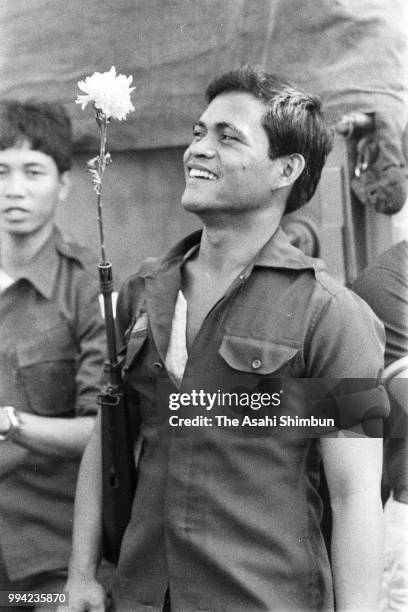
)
(346, 351)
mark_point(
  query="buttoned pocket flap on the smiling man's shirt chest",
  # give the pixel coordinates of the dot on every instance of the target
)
(255, 355)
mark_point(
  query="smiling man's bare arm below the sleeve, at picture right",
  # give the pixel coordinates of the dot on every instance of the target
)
(353, 471)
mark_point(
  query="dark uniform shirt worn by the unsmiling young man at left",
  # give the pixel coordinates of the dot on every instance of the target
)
(51, 354)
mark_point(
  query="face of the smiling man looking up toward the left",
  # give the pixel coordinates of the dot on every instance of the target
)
(227, 165)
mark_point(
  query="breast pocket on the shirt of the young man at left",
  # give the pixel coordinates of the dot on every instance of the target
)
(47, 369)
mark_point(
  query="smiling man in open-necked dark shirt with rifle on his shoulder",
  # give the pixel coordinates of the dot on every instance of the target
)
(224, 519)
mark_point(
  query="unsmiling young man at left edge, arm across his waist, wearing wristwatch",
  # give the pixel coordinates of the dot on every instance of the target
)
(51, 350)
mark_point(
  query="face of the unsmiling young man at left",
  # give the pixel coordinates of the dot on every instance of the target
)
(30, 188)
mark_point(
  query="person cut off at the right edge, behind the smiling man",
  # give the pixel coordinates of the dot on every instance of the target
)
(384, 286)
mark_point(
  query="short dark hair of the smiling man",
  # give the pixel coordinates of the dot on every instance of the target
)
(293, 121)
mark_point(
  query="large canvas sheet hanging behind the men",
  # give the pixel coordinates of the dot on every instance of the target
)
(352, 53)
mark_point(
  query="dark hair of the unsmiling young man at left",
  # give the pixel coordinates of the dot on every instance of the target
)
(46, 126)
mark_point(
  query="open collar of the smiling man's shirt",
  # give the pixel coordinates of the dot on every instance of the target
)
(277, 252)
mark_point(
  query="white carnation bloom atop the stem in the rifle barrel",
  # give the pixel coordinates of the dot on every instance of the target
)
(109, 93)
